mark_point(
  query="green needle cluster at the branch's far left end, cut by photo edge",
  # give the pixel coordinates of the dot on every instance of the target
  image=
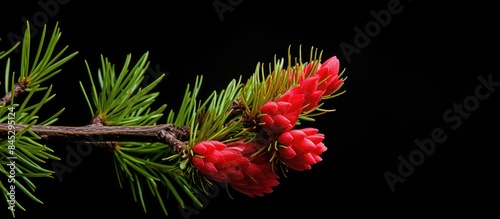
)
(22, 147)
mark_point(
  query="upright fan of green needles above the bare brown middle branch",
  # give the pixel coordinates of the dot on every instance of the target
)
(118, 100)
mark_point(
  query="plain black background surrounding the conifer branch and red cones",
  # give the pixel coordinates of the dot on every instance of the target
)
(413, 70)
